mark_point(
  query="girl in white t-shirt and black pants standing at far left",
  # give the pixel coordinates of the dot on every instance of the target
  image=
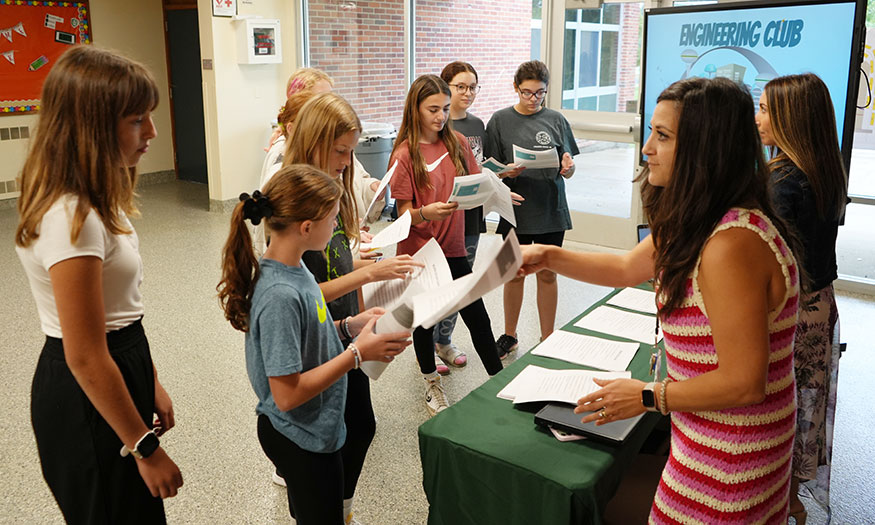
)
(95, 391)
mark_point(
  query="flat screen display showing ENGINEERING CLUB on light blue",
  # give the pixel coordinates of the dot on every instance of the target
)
(752, 43)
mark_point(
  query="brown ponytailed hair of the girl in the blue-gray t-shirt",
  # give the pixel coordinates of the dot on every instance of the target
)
(296, 193)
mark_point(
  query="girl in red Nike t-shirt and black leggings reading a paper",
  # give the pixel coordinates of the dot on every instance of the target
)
(425, 136)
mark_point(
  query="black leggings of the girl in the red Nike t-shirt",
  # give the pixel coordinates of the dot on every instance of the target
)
(477, 321)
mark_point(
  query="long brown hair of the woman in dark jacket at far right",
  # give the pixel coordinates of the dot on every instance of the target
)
(803, 125)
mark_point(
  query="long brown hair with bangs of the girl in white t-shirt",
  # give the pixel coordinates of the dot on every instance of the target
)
(75, 149)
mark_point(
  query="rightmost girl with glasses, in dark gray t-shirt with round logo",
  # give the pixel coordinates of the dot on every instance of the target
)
(544, 217)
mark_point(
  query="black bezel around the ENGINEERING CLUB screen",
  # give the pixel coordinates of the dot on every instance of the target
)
(855, 59)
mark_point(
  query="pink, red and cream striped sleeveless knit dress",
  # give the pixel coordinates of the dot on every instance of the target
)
(731, 466)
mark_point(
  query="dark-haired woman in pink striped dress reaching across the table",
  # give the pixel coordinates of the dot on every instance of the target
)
(728, 293)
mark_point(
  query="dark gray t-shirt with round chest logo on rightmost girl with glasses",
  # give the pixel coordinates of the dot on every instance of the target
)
(545, 209)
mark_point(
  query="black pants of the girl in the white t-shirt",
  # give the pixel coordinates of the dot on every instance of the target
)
(78, 450)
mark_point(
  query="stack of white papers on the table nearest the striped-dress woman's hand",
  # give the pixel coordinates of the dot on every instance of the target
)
(535, 383)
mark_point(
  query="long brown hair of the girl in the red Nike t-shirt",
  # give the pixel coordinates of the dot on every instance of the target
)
(411, 129)
